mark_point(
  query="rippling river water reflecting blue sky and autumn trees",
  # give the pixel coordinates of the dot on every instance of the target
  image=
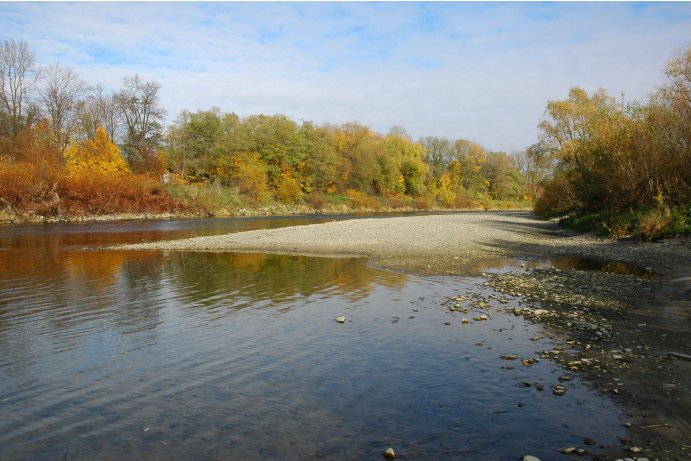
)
(157, 356)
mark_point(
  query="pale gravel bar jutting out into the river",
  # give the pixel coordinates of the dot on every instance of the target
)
(458, 243)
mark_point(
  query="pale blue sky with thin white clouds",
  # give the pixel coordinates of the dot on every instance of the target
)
(477, 71)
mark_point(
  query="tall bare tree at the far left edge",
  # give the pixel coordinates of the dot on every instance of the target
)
(18, 76)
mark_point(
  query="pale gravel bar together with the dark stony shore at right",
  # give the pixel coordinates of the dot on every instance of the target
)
(619, 328)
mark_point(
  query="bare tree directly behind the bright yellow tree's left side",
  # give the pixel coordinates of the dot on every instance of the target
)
(60, 95)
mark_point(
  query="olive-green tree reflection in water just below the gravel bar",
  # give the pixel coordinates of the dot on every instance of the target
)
(209, 278)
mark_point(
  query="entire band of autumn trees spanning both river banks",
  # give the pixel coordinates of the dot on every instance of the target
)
(67, 147)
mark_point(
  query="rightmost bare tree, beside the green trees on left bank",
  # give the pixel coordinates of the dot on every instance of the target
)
(139, 105)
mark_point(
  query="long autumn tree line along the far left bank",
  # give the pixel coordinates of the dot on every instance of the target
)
(59, 128)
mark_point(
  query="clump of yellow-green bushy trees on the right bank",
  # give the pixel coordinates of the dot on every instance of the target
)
(625, 166)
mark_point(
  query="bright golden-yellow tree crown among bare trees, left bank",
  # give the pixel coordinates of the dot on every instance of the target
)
(97, 156)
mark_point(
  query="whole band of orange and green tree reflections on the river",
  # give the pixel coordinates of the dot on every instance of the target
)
(67, 289)
